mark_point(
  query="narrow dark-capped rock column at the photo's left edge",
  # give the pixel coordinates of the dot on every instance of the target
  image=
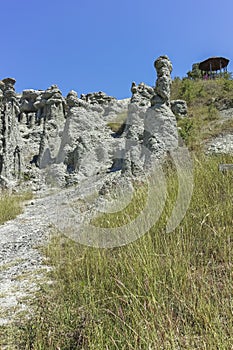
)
(10, 140)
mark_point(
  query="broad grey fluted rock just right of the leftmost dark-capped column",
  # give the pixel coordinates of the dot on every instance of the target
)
(42, 117)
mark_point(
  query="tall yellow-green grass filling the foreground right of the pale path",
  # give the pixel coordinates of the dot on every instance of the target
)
(163, 291)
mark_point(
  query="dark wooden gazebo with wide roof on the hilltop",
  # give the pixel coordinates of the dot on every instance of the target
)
(213, 64)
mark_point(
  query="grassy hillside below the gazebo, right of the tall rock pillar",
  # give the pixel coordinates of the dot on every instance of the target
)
(210, 104)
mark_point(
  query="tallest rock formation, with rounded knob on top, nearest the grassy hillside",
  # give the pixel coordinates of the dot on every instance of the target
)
(151, 131)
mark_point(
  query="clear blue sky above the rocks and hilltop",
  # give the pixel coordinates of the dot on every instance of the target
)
(105, 45)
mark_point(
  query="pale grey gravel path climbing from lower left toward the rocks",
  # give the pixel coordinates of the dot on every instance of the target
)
(22, 265)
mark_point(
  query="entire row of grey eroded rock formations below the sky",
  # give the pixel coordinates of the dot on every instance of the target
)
(48, 137)
